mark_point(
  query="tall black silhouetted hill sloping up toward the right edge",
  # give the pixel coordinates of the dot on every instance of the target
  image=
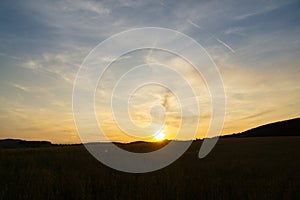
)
(283, 128)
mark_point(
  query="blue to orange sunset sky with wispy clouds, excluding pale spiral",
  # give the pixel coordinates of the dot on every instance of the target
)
(254, 44)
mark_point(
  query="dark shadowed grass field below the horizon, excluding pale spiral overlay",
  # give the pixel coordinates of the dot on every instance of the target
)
(237, 168)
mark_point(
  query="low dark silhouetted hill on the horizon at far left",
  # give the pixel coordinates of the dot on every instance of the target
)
(14, 143)
